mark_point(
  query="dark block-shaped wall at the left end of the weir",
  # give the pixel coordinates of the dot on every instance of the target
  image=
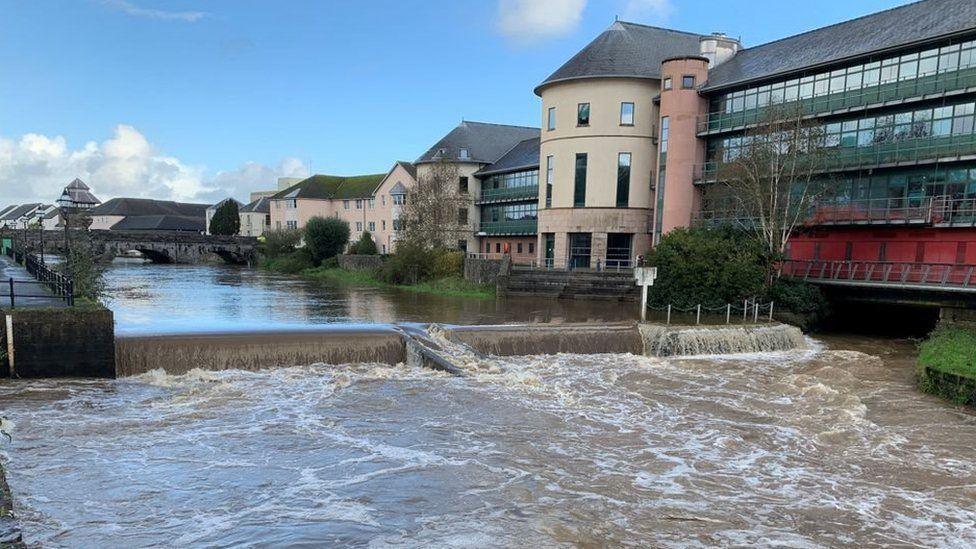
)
(70, 342)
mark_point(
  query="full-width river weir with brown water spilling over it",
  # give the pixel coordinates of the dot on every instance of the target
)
(452, 349)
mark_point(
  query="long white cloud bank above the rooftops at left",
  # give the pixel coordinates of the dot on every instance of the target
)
(35, 168)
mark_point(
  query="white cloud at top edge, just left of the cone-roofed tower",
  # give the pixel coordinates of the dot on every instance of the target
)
(526, 21)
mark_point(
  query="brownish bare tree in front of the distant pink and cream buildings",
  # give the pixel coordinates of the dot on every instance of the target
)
(435, 214)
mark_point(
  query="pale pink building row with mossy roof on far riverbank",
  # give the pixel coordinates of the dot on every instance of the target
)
(367, 202)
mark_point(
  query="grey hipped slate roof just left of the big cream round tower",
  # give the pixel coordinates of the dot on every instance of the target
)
(485, 142)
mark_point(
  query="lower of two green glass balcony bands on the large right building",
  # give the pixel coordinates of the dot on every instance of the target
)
(908, 152)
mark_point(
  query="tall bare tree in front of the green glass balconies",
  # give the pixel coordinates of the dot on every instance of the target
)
(775, 177)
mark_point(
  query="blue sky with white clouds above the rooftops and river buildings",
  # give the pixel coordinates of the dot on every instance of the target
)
(197, 100)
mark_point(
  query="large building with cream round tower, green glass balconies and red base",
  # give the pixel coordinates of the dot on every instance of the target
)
(635, 125)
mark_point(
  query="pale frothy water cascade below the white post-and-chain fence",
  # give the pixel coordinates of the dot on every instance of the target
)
(663, 341)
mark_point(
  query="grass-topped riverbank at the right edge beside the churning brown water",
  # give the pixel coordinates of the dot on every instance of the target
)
(947, 363)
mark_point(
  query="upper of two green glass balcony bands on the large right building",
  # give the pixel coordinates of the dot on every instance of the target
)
(884, 95)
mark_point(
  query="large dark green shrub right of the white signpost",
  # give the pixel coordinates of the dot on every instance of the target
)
(708, 266)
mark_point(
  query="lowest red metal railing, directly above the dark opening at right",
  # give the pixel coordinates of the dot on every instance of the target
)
(882, 273)
